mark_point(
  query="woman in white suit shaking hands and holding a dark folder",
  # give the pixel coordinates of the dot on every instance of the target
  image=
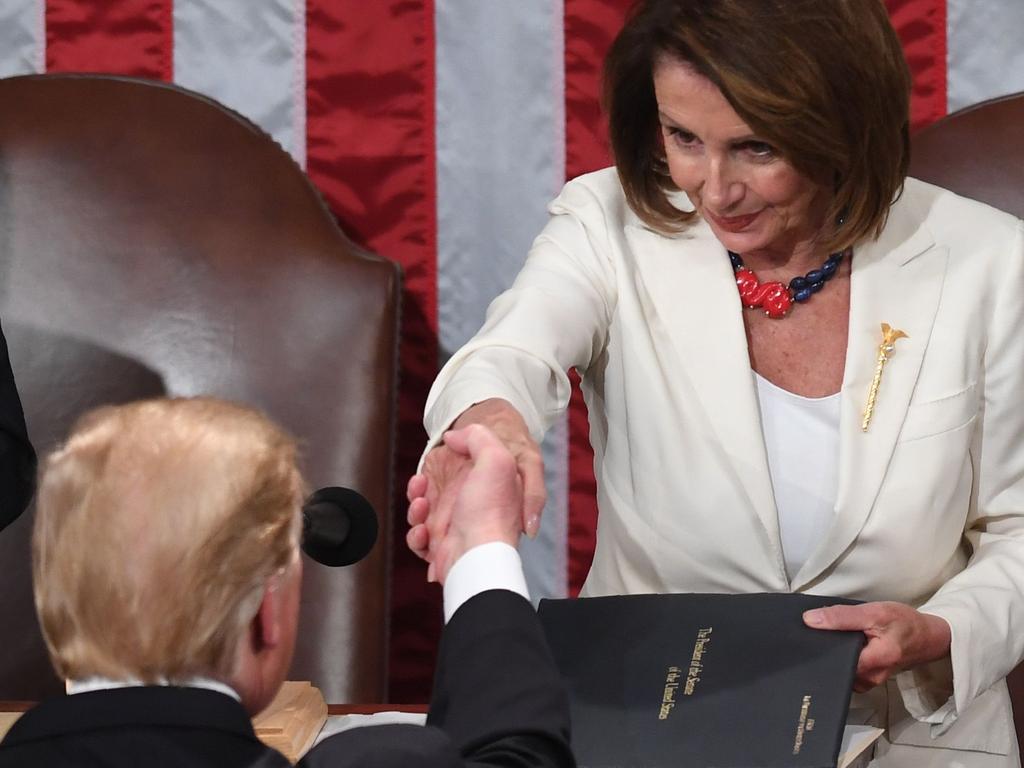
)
(846, 423)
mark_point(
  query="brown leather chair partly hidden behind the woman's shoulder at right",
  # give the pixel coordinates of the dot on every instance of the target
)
(979, 153)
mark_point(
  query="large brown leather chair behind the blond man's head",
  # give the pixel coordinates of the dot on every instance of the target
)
(154, 242)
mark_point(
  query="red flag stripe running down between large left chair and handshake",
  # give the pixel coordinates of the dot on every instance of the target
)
(370, 134)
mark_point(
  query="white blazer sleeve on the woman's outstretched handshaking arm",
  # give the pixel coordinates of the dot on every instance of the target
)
(556, 317)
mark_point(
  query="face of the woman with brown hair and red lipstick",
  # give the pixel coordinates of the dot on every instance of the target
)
(753, 200)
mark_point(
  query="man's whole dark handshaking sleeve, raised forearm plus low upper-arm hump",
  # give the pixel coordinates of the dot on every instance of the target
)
(498, 701)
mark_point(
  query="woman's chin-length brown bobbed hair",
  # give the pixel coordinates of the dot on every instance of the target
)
(823, 81)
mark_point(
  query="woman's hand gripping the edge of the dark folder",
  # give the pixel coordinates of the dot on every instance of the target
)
(899, 637)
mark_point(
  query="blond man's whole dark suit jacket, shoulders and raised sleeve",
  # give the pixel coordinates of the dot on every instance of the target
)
(498, 702)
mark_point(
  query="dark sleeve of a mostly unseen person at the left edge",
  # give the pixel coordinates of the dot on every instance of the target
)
(18, 460)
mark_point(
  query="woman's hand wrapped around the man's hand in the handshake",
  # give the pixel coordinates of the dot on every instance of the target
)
(443, 465)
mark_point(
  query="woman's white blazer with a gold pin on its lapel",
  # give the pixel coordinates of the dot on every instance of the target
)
(930, 507)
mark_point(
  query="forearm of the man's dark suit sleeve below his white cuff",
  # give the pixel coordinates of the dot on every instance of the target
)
(498, 695)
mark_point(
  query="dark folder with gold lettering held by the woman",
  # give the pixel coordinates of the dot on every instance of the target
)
(704, 681)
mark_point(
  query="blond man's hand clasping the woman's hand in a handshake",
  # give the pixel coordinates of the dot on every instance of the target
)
(480, 500)
